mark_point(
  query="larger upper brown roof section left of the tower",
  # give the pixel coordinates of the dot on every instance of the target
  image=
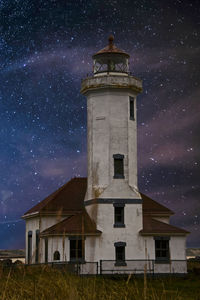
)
(68, 198)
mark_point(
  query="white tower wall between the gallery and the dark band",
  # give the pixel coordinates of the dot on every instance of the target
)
(110, 131)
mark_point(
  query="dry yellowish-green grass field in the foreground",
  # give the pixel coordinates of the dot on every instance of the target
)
(41, 283)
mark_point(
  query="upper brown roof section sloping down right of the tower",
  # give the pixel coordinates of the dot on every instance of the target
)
(154, 208)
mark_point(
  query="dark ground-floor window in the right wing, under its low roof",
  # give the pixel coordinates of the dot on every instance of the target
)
(162, 248)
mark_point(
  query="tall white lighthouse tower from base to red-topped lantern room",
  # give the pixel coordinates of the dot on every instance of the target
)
(112, 199)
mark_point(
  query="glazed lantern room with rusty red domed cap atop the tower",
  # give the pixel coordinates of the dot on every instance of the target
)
(111, 60)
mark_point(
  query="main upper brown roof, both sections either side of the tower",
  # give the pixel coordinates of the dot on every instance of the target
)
(69, 199)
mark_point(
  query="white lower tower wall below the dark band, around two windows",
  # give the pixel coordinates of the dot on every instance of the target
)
(103, 246)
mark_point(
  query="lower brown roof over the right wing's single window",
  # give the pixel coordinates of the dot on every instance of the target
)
(154, 227)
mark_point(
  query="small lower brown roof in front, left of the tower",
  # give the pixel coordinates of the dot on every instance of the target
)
(79, 224)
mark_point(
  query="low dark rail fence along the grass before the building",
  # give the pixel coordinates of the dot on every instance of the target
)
(112, 267)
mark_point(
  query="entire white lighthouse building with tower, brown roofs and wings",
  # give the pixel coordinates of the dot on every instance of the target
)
(104, 219)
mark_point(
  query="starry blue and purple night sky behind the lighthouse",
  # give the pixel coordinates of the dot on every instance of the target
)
(45, 51)
